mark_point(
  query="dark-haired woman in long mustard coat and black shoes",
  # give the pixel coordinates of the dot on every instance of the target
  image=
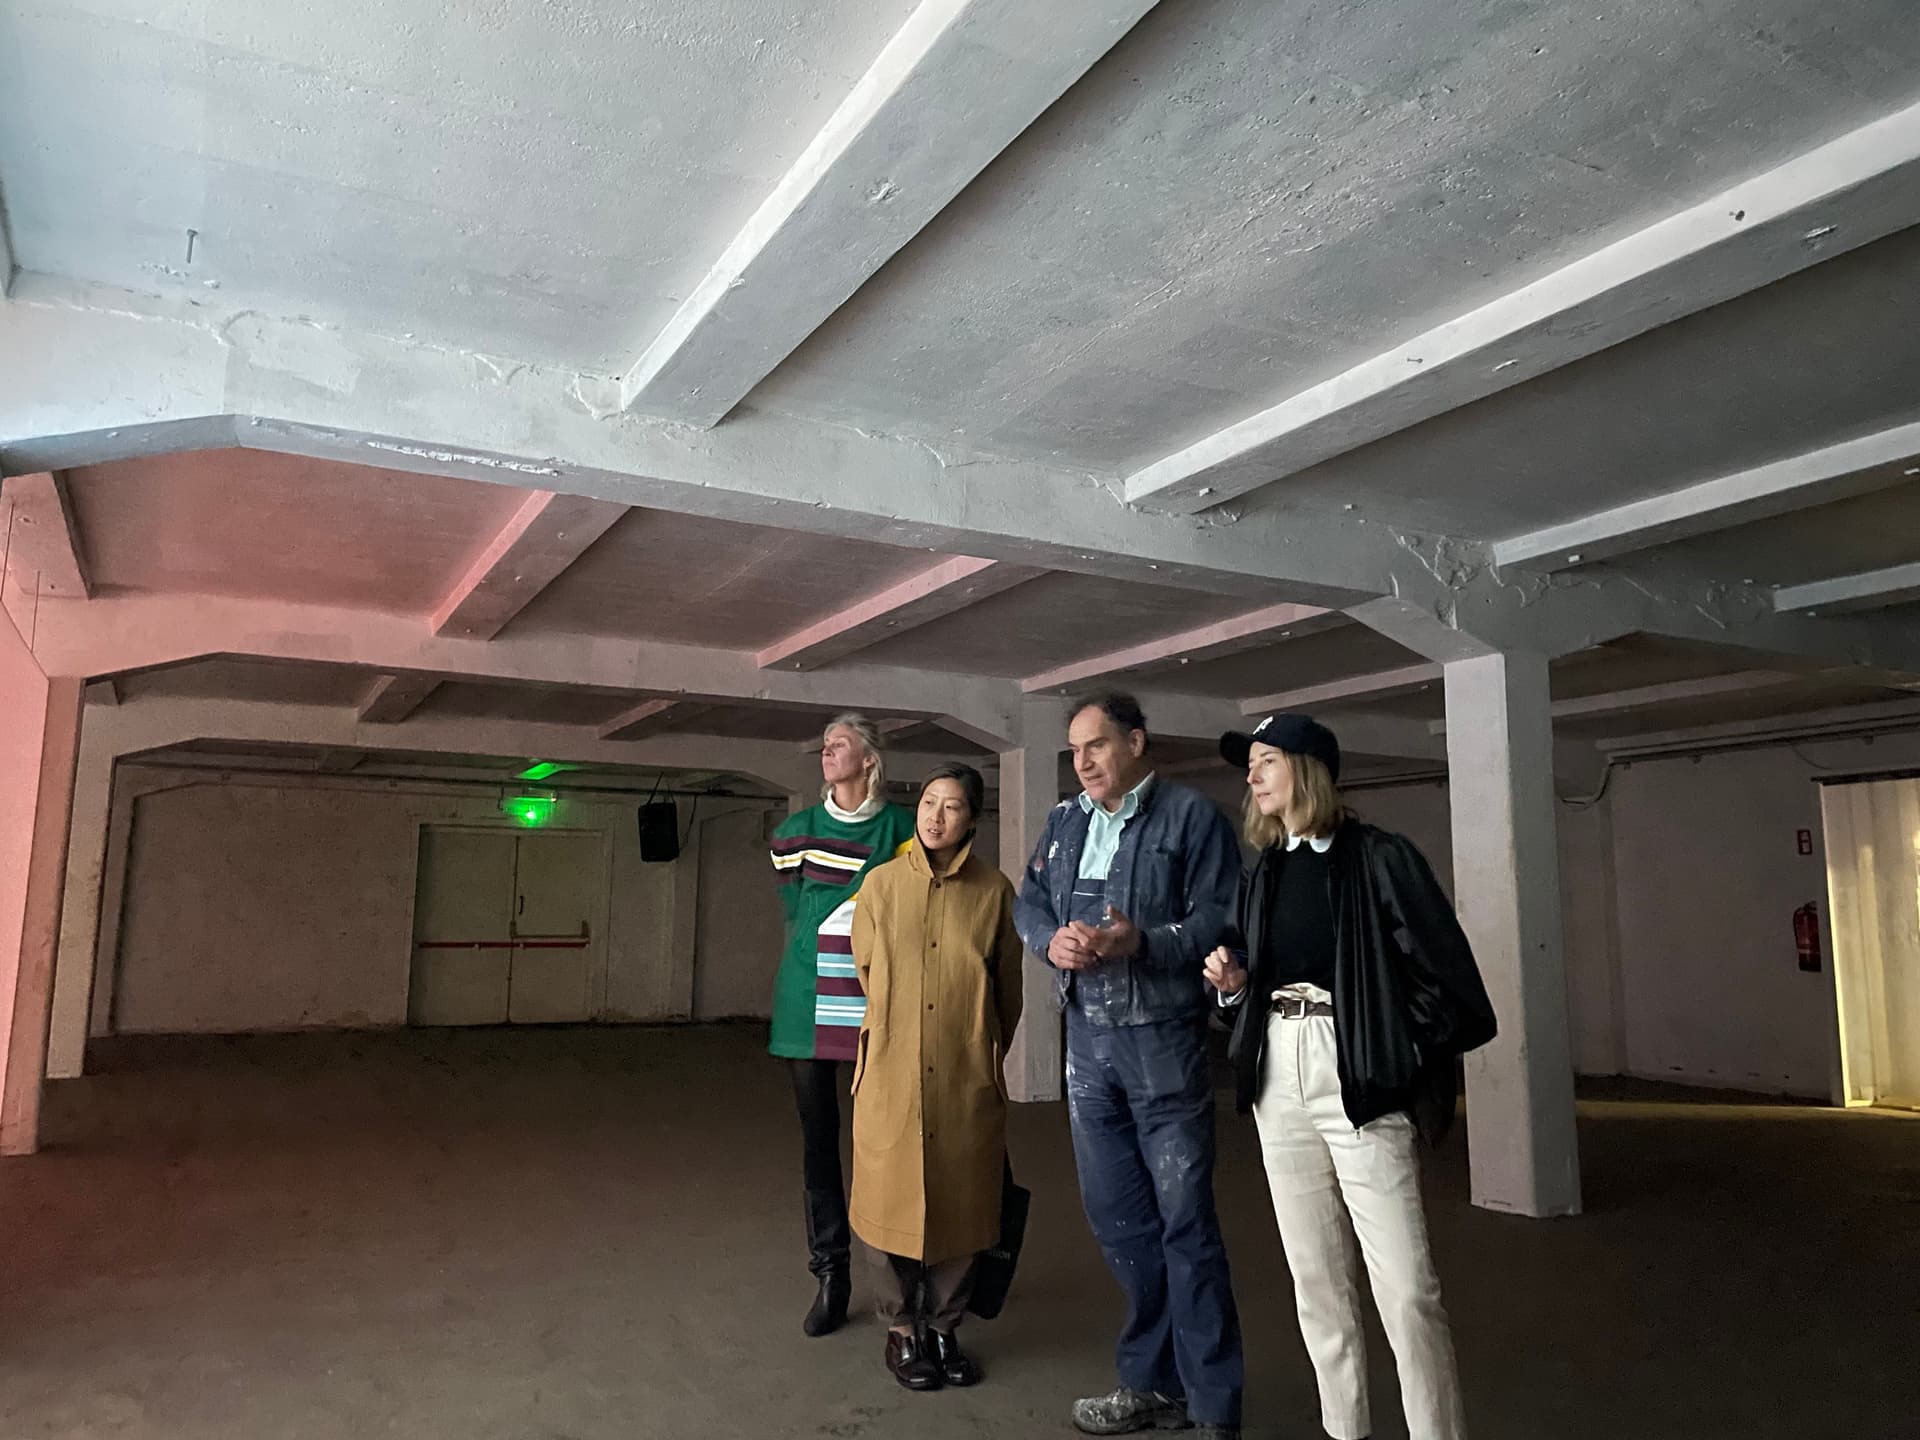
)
(938, 955)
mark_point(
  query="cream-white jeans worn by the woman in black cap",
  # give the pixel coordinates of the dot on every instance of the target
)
(1332, 1184)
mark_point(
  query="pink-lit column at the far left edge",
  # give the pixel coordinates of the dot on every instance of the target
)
(39, 748)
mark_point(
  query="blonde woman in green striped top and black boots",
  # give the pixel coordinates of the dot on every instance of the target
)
(821, 857)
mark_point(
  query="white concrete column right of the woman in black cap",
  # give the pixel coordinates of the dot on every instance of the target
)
(1506, 886)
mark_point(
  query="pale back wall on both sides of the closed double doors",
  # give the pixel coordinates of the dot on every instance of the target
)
(287, 905)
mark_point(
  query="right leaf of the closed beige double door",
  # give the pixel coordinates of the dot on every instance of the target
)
(558, 898)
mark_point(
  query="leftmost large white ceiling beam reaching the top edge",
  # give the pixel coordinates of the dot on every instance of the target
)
(948, 95)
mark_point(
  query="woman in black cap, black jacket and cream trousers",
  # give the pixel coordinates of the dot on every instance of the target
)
(1356, 992)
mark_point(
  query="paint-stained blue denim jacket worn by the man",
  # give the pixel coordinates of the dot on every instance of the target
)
(1176, 876)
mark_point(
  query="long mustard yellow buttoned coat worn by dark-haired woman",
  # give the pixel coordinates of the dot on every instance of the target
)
(942, 963)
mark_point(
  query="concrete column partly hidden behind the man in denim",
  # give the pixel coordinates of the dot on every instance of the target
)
(1030, 788)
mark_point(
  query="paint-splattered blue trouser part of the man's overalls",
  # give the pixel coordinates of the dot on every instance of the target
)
(1141, 1103)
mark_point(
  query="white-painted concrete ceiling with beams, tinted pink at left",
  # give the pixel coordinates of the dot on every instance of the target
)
(842, 333)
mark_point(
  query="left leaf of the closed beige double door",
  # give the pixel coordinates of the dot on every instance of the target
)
(464, 928)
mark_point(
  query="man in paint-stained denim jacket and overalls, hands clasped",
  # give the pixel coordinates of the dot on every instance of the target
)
(1126, 894)
